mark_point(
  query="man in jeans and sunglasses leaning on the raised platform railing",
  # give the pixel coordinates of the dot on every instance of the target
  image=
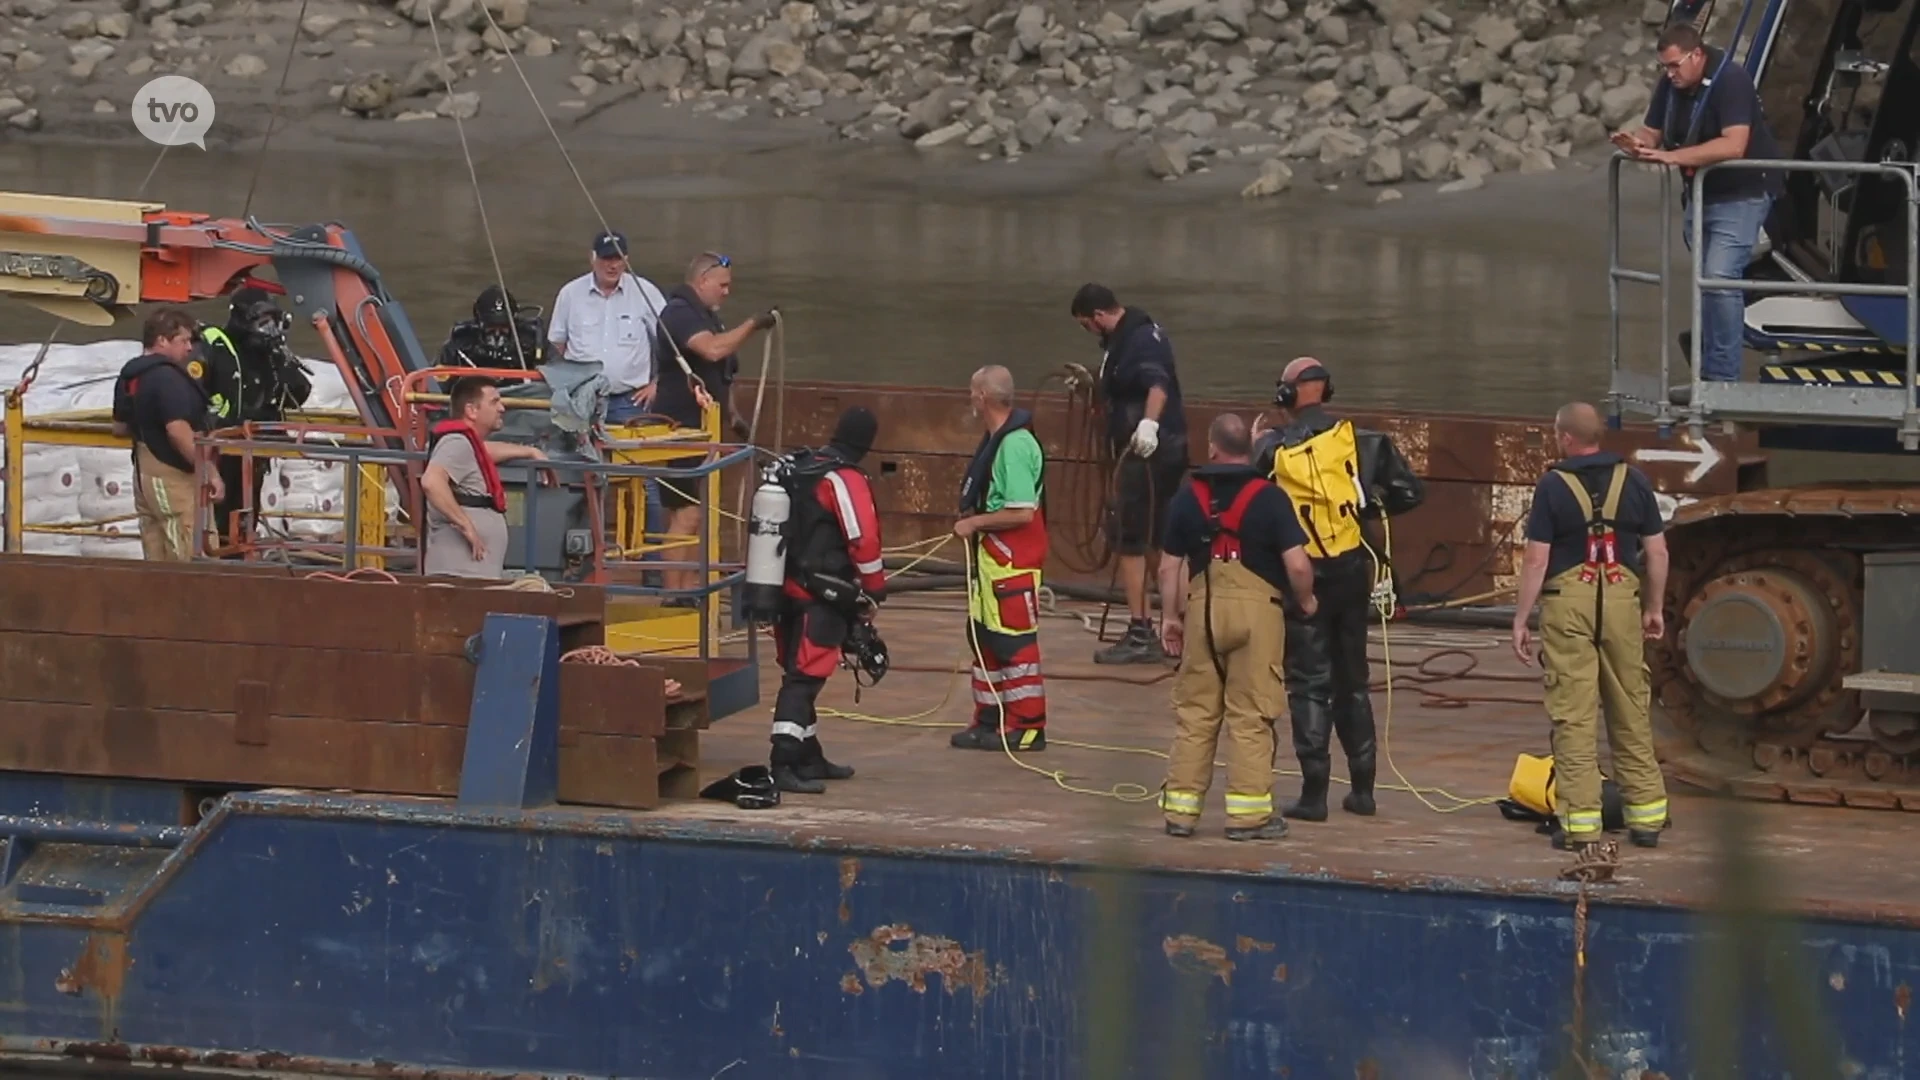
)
(1706, 110)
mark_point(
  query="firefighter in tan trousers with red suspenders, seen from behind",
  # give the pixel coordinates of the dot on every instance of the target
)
(1241, 545)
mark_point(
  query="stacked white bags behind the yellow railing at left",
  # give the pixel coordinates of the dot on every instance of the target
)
(87, 485)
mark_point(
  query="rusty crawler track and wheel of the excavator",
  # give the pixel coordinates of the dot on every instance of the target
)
(1765, 601)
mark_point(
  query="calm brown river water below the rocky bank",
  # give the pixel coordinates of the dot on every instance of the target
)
(1491, 303)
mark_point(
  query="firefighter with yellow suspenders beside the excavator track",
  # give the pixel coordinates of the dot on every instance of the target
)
(1598, 558)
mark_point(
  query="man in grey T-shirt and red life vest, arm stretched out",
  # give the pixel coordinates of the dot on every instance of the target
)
(466, 499)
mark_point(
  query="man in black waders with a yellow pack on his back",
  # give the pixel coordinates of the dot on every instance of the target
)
(1337, 478)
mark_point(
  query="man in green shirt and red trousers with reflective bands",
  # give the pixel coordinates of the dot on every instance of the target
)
(1007, 533)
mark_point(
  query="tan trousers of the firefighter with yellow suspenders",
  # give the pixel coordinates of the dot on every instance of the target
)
(1585, 677)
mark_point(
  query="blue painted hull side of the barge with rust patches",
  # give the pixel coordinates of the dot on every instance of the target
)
(393, 937)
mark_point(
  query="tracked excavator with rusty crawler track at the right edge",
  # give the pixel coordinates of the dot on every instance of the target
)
(1792, 658)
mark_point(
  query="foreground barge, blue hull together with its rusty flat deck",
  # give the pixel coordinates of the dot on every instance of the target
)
(944, 914)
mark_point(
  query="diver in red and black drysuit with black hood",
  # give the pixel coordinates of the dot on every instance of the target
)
(834, 581)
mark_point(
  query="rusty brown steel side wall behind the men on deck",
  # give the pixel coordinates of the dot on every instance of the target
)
(1462, 543)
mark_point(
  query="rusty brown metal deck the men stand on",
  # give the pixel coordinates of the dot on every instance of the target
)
(913, 791)
